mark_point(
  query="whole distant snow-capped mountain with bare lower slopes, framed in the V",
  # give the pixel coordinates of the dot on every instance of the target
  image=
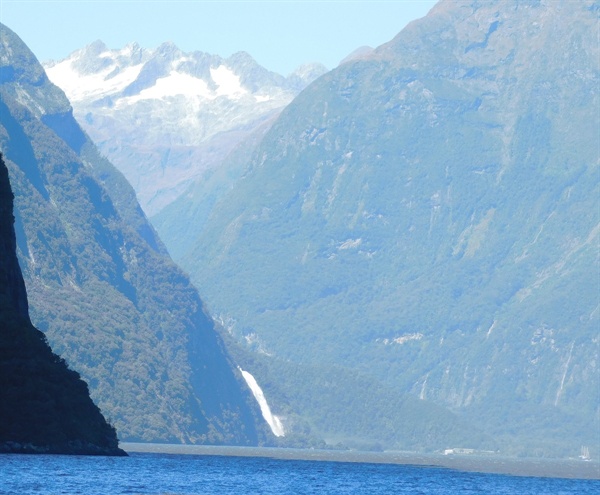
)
(165, 117)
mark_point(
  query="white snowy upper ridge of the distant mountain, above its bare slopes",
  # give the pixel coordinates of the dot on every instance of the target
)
(96, 72)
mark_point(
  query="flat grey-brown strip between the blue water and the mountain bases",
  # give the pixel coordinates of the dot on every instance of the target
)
(497, 464)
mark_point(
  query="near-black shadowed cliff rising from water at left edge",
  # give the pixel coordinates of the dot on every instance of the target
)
(44, 406)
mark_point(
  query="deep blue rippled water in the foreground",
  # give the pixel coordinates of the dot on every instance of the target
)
(223, 472)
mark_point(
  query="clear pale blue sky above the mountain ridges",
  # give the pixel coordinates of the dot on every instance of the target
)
(279, 34)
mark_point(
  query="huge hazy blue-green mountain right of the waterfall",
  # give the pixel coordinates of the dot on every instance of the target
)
(424, 217)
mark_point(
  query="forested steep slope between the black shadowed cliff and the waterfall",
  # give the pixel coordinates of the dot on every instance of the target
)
(101, 284)
